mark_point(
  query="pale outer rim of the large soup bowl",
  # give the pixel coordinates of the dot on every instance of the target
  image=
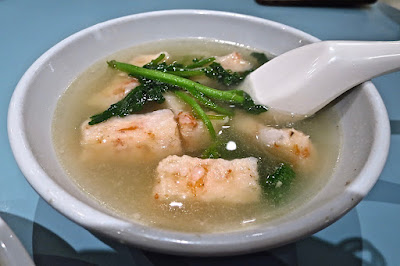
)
(178, 242)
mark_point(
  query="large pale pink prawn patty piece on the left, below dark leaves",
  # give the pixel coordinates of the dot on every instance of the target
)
(134, 138)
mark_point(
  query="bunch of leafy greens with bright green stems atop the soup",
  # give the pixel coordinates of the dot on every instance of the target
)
(158, 77)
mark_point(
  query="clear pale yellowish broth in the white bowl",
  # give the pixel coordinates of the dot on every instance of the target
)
(126, 189)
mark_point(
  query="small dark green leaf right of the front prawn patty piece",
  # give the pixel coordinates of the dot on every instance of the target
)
(277, 184)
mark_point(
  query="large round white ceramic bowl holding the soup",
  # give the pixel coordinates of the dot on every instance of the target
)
(363, 119)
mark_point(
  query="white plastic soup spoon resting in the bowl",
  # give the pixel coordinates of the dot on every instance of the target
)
(304, 80)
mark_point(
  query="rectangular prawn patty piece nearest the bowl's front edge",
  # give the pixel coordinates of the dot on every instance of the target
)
(207, 180)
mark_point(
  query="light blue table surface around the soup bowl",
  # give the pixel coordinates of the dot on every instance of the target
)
(367, 235)
